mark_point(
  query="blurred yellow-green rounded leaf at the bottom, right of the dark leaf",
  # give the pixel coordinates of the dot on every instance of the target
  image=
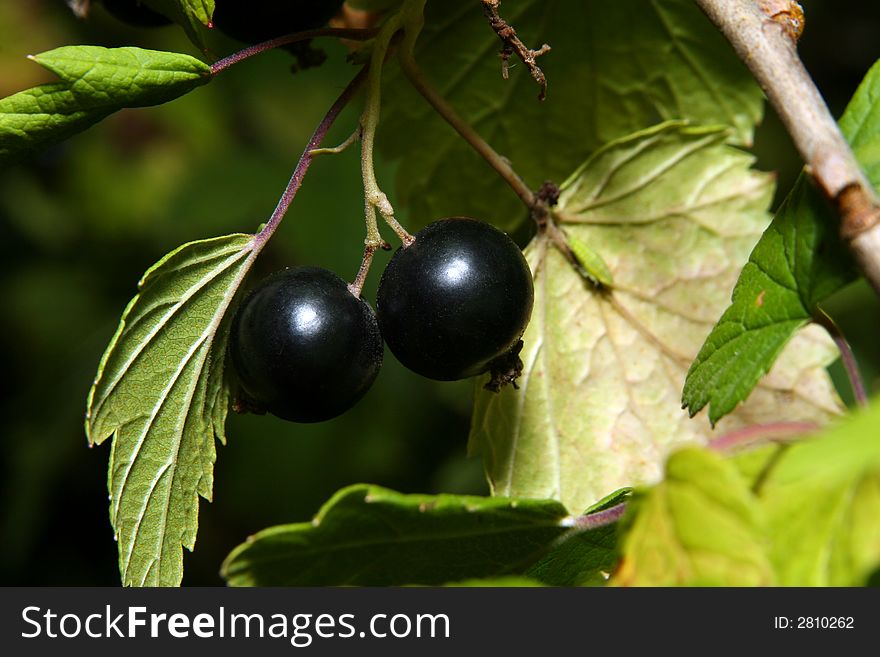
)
(700, 527)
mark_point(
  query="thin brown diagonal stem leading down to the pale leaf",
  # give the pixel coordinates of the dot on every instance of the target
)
(414, 74)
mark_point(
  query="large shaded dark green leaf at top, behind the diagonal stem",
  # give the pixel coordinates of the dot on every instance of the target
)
(614, 68)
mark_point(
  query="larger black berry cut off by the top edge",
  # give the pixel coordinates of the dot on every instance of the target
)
(253, 21)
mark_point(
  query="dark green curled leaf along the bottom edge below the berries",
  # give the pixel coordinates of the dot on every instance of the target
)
(371, 536)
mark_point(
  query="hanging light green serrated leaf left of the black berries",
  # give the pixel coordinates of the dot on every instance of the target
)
(161, 394)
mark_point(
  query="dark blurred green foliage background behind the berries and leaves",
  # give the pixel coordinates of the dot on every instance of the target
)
(81, 223)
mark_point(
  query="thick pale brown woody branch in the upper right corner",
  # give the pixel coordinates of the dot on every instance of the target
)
(763, 39)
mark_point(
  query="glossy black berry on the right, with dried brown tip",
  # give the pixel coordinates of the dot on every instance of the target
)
(457, 298)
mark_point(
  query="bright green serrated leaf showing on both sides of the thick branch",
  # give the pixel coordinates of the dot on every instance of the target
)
(797, 263)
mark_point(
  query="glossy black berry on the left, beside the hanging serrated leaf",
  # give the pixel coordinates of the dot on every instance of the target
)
(304, 348)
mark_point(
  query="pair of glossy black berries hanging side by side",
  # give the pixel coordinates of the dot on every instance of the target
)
(451, 305)
